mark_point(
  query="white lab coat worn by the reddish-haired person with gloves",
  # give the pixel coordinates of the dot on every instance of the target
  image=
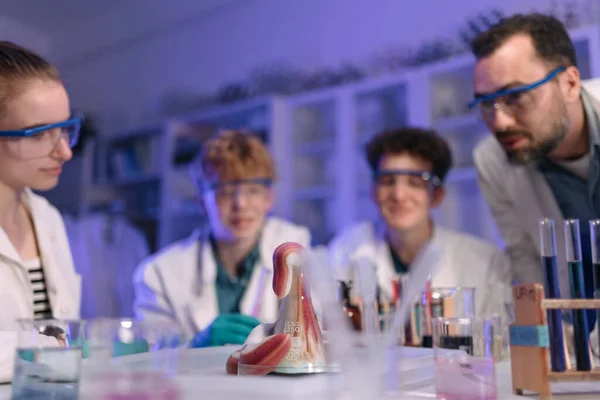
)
(178, 284)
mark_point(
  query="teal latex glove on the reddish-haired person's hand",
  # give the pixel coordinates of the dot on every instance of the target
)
(226, 329)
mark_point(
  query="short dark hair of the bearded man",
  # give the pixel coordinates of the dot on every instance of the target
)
(550, 38)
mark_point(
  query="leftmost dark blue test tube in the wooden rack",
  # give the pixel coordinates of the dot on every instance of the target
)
(552, 291)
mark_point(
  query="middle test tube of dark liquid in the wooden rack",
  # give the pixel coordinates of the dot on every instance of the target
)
(576, 284)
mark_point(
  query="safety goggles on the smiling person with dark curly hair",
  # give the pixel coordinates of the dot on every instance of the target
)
(410, 179)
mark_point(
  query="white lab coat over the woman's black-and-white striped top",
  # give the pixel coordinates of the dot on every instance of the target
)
(16, 296)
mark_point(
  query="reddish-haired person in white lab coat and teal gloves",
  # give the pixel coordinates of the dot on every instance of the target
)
(216, 285)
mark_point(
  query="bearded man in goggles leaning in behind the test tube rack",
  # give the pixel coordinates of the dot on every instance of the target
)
(543, 160)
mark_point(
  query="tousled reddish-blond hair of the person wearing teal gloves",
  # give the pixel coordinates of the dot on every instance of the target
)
(233, 155)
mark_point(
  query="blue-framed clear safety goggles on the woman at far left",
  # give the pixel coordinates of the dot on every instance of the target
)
(41, 141)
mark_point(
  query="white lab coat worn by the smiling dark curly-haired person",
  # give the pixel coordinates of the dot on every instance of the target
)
(466, 261)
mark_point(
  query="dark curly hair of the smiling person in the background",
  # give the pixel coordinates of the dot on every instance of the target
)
(424, 144)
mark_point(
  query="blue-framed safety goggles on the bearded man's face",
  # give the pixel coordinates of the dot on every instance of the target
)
(513, 100)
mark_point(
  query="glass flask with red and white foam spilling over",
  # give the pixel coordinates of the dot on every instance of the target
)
(296, 346)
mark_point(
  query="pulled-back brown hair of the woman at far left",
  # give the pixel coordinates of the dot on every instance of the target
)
(19, 65)
